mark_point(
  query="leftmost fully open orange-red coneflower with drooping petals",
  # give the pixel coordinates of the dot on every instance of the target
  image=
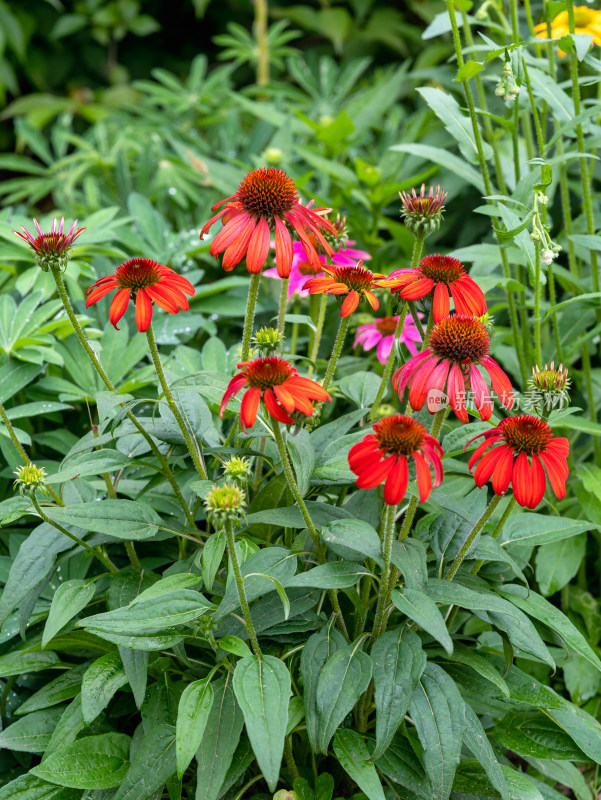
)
(150, 283)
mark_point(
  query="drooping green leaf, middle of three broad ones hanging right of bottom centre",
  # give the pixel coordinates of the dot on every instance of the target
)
(398, 664)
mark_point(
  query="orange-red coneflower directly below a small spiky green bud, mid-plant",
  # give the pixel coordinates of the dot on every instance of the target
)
(278, 384)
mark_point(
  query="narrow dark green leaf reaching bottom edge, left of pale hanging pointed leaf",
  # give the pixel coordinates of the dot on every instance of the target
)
(219, 742)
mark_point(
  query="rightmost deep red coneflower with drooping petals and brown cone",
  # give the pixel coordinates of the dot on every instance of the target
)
(514, 441)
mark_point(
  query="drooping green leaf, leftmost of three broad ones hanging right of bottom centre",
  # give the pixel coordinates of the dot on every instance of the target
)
(343, 679)
